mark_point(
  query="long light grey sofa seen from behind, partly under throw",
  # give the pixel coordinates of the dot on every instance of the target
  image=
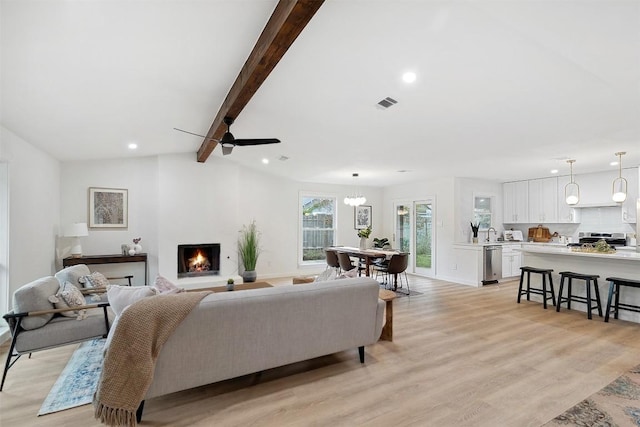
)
(230, 334)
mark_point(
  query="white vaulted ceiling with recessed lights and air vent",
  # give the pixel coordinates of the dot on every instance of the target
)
(505, 88)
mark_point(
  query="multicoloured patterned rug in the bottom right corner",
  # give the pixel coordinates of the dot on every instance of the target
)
(618, 404)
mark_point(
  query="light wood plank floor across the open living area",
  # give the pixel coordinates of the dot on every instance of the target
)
(461, 356)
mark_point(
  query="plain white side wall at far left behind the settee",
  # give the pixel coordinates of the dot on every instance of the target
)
(34, 209)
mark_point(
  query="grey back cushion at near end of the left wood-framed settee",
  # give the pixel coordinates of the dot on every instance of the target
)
(34, 296)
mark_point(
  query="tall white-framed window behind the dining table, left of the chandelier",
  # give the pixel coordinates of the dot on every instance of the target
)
(318, 226)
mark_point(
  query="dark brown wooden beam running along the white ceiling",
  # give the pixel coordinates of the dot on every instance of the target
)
(287, 22)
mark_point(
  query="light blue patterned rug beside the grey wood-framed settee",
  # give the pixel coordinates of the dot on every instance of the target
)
(77, 382)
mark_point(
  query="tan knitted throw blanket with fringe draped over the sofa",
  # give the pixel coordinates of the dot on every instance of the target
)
(130, 360)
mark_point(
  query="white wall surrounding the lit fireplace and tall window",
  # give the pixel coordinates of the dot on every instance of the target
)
(175, 200)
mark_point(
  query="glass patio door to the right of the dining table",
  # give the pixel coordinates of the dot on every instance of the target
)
(413, 233)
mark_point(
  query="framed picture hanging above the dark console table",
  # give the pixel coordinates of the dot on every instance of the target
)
(108, 207)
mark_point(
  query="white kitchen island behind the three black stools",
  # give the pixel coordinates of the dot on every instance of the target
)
(624, 264)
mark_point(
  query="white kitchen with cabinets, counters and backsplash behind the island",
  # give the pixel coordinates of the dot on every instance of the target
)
(541, 202)
